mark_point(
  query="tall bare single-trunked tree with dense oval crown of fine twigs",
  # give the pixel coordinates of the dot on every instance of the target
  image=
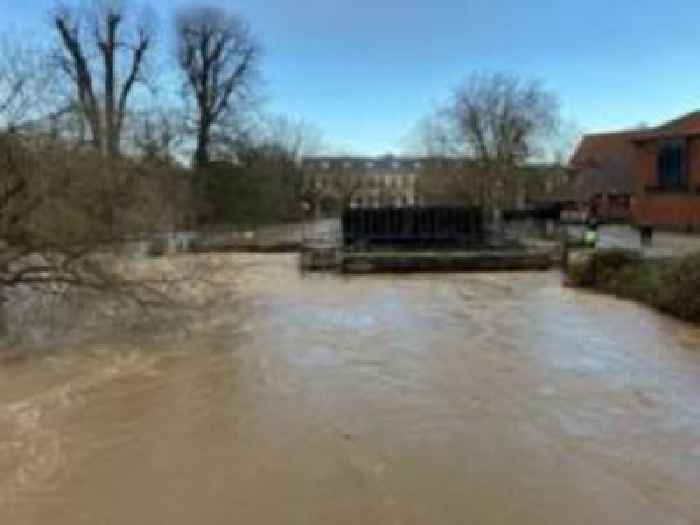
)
(218, 56)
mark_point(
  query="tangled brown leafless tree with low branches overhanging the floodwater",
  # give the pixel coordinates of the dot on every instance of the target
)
(66, 214)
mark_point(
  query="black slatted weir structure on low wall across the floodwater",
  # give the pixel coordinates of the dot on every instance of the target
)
(419, 239)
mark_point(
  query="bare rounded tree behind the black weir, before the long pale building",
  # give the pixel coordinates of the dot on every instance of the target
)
(494, 124)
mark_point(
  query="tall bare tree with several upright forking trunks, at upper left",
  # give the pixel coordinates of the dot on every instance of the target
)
(101, 49)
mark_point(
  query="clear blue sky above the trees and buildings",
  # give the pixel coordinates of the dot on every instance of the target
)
(365, 71)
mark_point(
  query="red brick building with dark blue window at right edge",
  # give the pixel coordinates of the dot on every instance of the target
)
(667, 175)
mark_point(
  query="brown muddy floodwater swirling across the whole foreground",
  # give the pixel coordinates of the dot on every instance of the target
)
(446, 399)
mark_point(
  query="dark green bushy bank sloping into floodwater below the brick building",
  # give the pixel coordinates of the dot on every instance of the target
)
(672, 286)
